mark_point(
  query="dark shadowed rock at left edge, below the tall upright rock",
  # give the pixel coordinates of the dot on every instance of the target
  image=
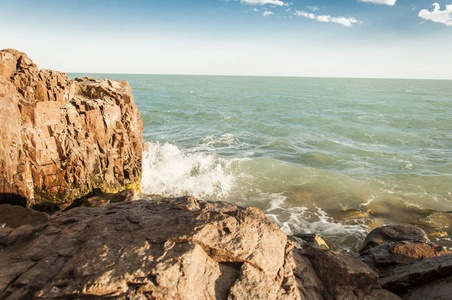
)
(15, 216)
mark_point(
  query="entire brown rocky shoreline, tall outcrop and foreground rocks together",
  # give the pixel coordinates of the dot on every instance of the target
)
(76, 146)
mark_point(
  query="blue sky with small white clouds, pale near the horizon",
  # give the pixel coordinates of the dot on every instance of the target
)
(305, 38)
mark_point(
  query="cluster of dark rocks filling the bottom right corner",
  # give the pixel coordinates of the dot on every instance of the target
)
(408, 264)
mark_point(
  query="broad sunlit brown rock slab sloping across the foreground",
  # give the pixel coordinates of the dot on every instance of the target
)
(180, 248)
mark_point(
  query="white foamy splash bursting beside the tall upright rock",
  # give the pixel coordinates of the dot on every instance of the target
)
(168, 171)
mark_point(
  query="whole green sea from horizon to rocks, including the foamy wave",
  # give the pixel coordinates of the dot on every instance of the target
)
(336, 157)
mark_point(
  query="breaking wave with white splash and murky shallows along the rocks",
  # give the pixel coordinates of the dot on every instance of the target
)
(298, 198)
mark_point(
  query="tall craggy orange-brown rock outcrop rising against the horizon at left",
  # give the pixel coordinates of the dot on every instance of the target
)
(61, 139)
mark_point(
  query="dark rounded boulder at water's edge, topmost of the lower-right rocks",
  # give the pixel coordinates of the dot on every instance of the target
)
(393, 233)
